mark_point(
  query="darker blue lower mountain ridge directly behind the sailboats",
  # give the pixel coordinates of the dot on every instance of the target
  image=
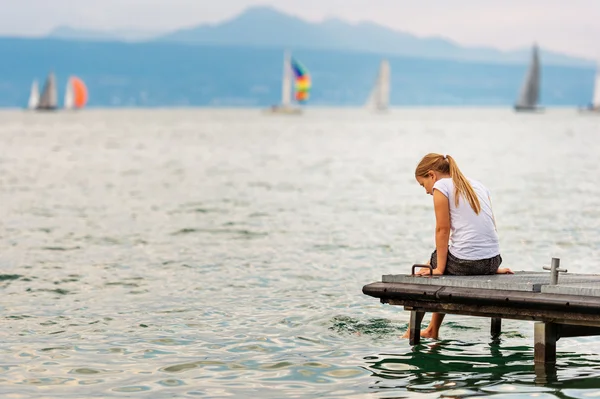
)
(153, 74)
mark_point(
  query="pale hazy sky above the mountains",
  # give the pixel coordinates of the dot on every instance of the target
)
(568, 26)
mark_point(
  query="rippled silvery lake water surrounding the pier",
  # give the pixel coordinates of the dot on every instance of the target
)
(222, 253)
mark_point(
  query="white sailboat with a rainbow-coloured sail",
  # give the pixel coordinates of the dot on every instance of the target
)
(296, 72)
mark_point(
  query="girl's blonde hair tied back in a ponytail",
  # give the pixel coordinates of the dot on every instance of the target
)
(447, 165)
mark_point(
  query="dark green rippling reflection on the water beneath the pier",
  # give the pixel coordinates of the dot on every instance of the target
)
(456, 369)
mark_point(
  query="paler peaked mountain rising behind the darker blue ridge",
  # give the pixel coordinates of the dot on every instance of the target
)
(267, 27)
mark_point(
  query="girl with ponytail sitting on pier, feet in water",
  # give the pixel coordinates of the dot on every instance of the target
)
(466, 241)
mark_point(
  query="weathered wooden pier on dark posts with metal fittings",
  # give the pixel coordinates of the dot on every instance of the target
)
(560, 309)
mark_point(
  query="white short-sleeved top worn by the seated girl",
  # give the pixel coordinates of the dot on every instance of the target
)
(472, 236)
